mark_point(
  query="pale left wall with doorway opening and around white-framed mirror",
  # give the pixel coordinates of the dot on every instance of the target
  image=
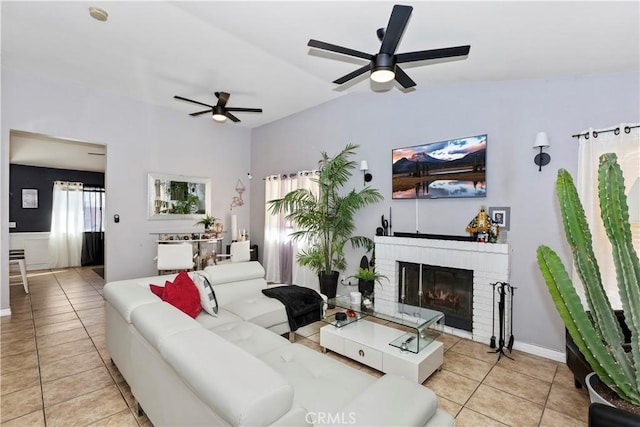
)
(140, 138)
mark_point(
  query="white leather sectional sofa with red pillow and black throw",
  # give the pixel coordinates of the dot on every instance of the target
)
(237, 369)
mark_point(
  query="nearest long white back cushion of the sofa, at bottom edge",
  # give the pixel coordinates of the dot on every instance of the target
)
(236, 385)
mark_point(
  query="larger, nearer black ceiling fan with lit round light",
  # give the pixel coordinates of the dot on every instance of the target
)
(383, 65)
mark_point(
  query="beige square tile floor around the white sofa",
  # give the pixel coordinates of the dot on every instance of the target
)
(55, 369)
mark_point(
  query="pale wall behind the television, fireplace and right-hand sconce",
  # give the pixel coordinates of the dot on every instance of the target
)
(511, 113)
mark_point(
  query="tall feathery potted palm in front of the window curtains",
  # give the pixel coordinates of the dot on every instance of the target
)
(325, 219)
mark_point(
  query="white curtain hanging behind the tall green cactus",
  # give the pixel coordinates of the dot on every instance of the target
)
(625, 142)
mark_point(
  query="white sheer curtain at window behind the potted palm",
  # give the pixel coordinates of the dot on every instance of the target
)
(279, 250)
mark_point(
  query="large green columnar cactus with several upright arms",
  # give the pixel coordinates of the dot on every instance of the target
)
(598, 334)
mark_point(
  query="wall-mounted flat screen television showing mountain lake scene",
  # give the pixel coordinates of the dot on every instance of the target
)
(452, 168)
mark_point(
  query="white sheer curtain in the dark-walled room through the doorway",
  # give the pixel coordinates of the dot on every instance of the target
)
(67, 225)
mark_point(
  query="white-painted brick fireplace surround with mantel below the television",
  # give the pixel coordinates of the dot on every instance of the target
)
(489, 263)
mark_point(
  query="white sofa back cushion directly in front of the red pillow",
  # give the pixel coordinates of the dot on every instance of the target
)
(158, 321)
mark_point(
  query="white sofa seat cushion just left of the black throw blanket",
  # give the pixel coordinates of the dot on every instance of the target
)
(259, 309)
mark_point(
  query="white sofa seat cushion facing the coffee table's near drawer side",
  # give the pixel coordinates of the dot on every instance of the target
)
(322, 384)
